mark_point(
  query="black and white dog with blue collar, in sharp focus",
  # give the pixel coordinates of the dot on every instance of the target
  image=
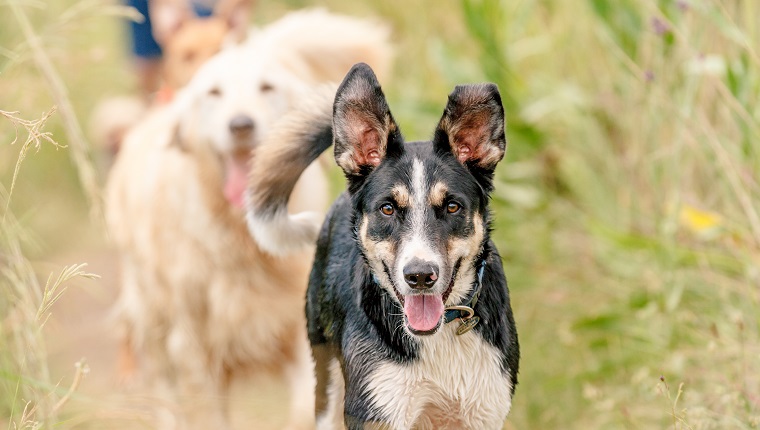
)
(408, 309)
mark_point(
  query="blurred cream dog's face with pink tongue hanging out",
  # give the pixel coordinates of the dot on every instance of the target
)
(232, 102)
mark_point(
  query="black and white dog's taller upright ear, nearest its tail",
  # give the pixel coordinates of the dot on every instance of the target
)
(364, 129)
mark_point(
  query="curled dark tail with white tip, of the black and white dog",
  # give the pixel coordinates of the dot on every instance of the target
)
(295, 141)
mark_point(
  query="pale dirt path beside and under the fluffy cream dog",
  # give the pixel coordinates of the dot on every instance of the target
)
(80, 328)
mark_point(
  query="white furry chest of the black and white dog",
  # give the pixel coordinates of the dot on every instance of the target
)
(456, 383)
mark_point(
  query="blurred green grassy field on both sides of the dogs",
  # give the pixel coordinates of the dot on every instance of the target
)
(627, 211)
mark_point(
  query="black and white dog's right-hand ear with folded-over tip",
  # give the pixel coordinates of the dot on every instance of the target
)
(472, 126)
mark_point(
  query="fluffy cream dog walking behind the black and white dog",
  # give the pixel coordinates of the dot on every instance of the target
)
(201, 303)
